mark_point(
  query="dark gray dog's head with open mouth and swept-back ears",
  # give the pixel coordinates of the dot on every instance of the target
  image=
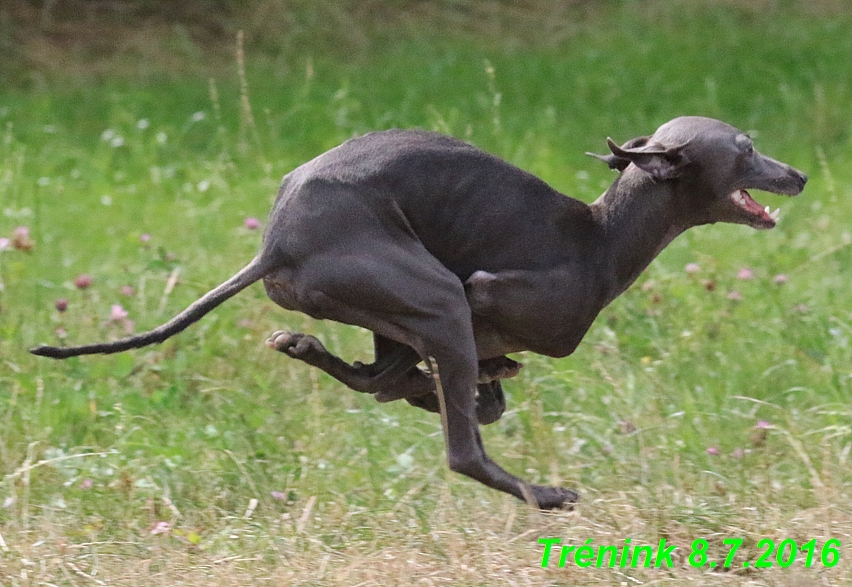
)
(711, 165)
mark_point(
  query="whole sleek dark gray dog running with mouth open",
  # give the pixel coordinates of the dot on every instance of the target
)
(454, 257)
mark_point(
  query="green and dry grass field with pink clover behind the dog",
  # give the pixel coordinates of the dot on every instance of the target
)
(710, 401)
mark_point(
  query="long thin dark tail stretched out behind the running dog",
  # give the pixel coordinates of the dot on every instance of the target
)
(251, 273)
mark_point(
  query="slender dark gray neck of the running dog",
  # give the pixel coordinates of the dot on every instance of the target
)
(638, 219)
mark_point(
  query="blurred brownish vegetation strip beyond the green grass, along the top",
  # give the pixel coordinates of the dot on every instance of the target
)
(79, 36)
